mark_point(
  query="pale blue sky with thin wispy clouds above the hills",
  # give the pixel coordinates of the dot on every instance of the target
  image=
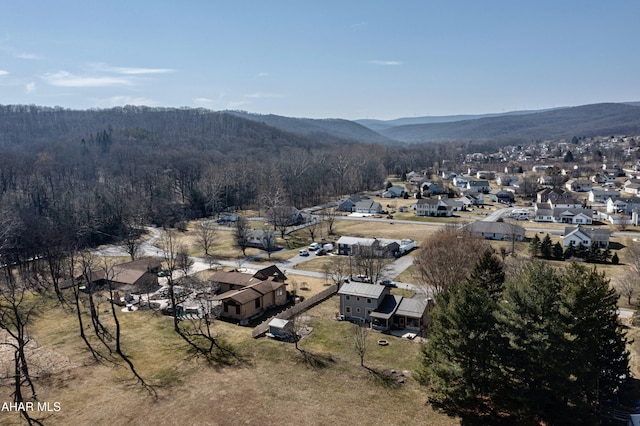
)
(350, 59)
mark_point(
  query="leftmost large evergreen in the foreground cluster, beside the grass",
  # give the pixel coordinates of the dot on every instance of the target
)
(458, 359)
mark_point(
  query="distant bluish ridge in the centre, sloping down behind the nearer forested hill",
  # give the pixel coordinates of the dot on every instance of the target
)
(339, 128)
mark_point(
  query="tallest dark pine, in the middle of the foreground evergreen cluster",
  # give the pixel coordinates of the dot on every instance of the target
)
(533, 361)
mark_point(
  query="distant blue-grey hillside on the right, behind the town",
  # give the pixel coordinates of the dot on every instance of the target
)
(589, 120)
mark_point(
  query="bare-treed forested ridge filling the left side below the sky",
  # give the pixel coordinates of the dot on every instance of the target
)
(81, 178)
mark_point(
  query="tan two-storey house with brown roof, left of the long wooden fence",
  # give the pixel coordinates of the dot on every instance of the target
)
(245, 296)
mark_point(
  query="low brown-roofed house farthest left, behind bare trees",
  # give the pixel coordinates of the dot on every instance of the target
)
(139, 276)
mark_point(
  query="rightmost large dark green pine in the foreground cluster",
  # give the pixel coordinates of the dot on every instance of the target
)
(599, 360)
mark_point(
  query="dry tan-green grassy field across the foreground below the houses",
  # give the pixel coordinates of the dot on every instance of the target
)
(273, 384)
